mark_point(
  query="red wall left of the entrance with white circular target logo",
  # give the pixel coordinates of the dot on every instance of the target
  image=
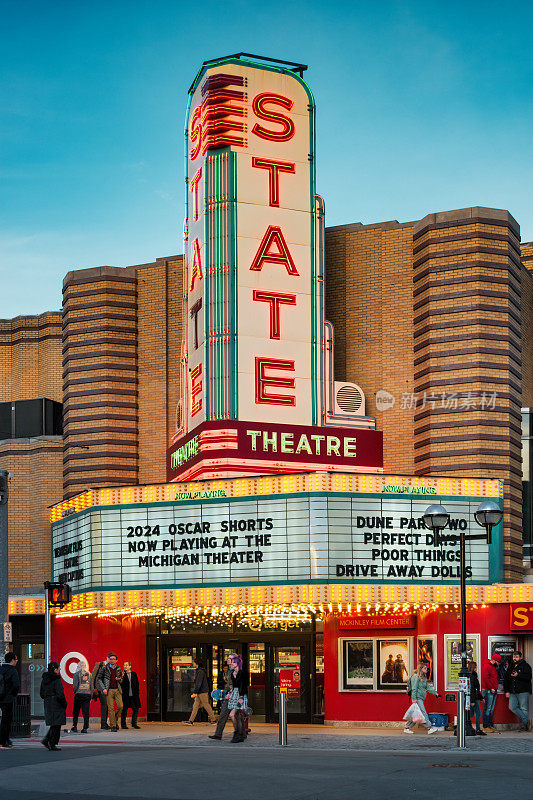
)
(95, 638)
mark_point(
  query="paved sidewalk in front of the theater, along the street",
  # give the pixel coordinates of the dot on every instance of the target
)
(306, 737)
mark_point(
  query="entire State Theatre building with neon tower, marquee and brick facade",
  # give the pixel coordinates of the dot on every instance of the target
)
(251, 432)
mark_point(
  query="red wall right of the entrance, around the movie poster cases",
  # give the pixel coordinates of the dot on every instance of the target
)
(389, 706)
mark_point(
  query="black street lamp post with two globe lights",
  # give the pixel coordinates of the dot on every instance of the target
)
(436, 518)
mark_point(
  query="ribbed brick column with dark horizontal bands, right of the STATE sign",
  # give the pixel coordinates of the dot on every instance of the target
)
(468, 362)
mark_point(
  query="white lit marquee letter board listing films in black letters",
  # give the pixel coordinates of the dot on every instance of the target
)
(280, 539)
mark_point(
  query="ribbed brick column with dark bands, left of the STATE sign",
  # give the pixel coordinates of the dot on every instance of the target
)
(100, 378)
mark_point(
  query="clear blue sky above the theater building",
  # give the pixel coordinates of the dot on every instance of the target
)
(421, 107)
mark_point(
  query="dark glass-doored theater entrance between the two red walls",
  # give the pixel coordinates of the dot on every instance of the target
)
(273, 660)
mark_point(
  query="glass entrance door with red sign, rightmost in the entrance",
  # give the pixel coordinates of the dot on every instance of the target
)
(291, 672)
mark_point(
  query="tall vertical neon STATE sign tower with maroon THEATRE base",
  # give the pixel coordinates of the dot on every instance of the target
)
(256, 343)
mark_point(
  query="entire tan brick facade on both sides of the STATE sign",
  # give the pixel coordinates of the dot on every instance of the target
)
(420, 309)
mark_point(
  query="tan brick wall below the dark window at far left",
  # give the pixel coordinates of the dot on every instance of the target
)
(37, 482)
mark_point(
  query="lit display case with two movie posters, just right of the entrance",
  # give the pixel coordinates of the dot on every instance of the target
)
(375, 664)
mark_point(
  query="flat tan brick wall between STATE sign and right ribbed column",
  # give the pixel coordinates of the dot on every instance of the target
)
(369, 297)
